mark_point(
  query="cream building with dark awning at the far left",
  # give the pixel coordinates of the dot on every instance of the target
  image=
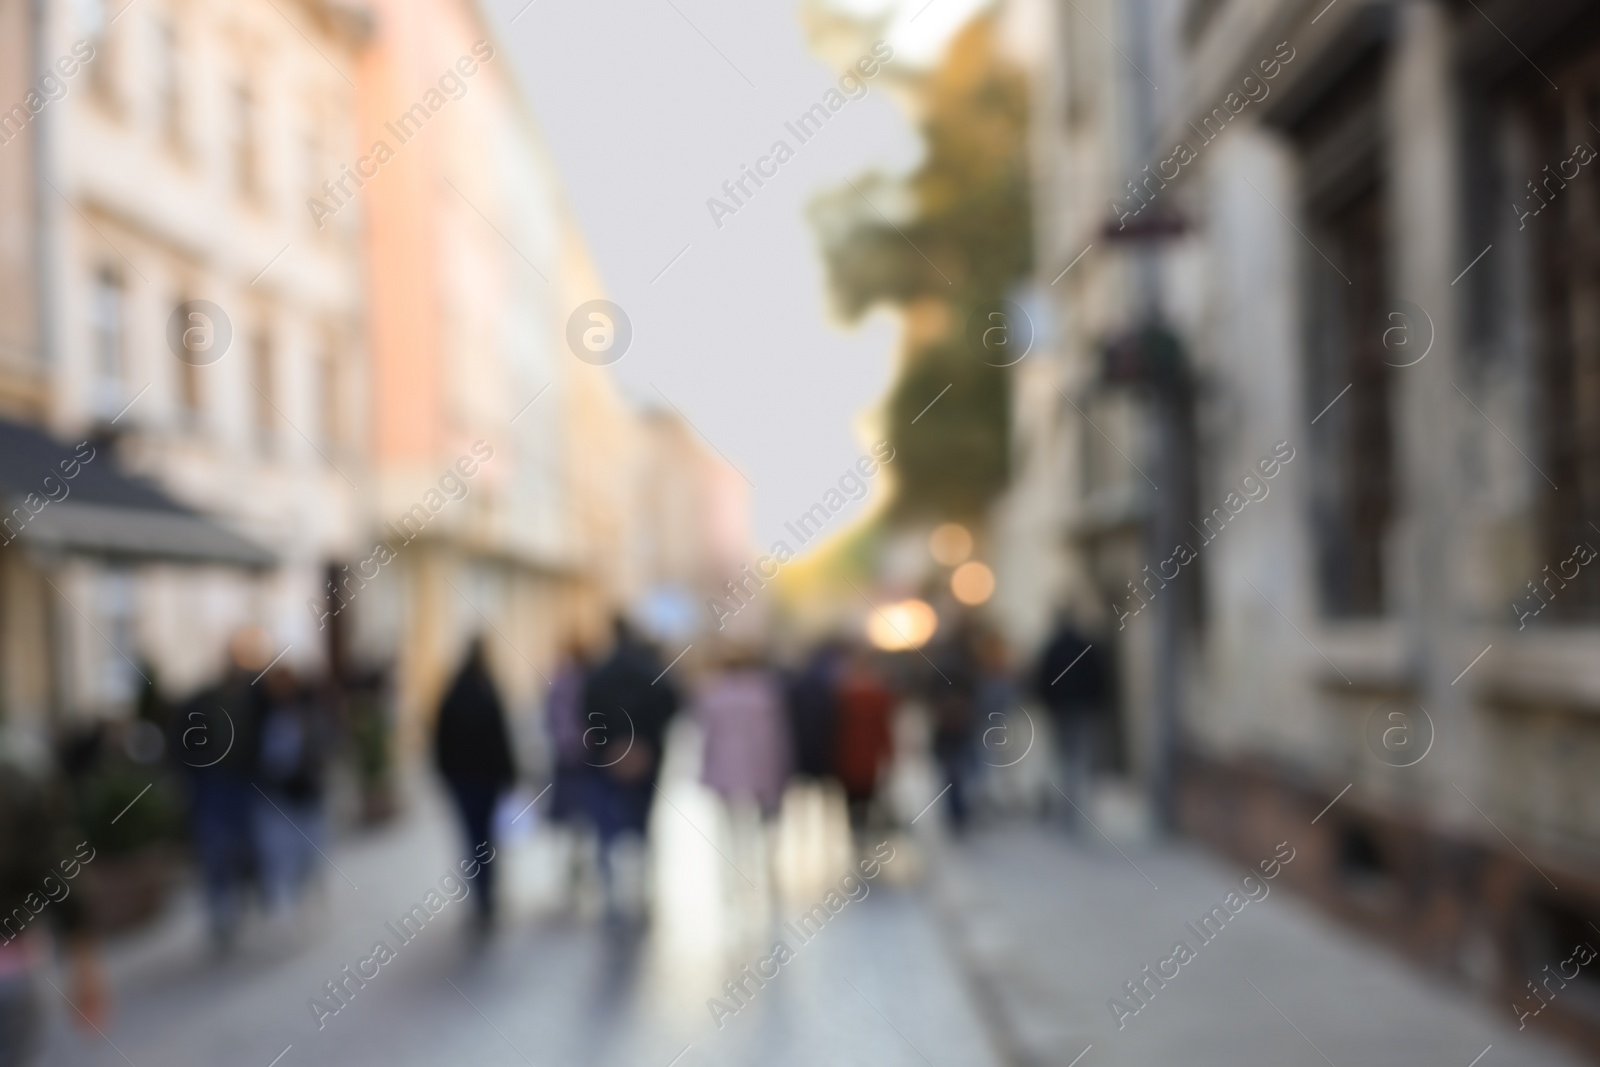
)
(169, 156)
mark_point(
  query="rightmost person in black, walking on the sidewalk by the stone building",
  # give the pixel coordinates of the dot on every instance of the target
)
(1073, 684)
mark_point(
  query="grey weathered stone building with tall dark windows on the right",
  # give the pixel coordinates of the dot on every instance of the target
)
(1364, 231)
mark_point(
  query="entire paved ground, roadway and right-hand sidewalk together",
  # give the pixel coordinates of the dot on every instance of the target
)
(999, 949)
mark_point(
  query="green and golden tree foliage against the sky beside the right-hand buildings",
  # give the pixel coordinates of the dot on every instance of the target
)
(954, 234)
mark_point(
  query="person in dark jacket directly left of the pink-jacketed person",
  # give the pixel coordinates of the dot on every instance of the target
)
(628, 705)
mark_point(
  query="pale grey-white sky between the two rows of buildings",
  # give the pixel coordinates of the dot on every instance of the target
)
(649, 108)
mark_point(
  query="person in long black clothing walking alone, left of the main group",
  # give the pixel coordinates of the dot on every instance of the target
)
(473, 754)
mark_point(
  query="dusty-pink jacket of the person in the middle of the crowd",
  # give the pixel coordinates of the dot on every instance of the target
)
(742, 711)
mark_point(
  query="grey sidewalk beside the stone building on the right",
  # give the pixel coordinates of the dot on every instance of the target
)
(1052, 929)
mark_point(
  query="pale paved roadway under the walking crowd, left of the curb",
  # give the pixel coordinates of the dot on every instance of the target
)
(876, 986)
